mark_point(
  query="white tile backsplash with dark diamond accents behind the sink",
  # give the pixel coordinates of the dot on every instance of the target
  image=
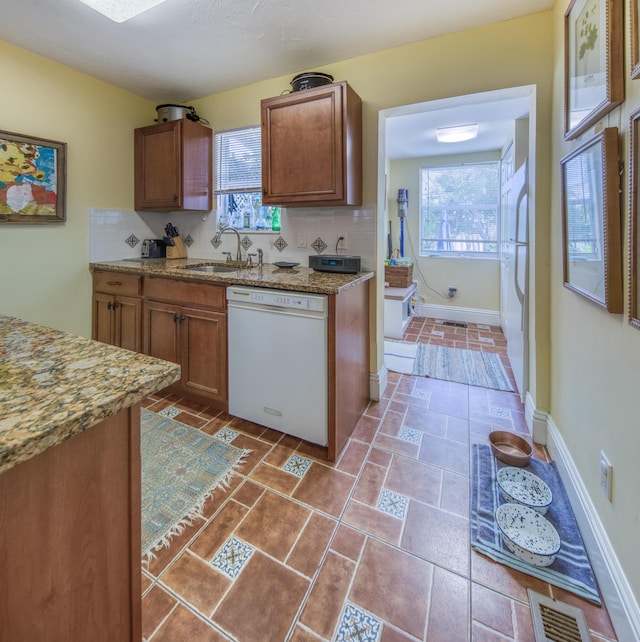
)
(117, 234)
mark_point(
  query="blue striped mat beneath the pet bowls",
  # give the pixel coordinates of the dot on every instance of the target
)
(571, 569)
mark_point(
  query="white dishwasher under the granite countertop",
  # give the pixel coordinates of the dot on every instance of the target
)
(278, 360)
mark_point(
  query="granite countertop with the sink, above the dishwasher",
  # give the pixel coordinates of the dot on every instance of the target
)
(301, 279)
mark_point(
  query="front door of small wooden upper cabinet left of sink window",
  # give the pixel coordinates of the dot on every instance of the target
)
(158, 163)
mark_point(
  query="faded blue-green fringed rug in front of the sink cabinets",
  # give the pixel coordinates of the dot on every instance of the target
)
(181, 467)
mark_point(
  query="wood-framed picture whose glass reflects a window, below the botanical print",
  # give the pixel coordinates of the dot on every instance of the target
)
(592, 246)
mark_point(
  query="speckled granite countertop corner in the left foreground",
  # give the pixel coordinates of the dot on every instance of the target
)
(54, 385)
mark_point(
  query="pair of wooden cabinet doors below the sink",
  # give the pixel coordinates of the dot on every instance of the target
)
(194, 338)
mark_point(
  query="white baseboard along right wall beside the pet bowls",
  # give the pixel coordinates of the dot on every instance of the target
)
(621, 602)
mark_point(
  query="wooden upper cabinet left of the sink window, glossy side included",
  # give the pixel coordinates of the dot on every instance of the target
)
(173, 165)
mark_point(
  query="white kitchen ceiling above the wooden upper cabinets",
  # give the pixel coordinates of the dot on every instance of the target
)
(187, 49)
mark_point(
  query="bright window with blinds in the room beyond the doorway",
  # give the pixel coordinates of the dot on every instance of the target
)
(460, 210)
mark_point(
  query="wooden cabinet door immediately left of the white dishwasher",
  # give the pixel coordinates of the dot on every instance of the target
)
(204, 353)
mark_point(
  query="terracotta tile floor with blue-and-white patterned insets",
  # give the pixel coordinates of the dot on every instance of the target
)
(380, 539)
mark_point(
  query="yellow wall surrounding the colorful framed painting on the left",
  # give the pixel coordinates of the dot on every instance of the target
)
(45, 276)
